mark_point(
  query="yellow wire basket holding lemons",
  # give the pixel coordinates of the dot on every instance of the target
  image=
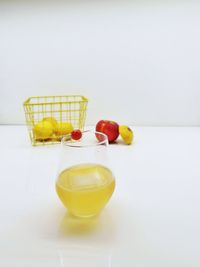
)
(62, 110)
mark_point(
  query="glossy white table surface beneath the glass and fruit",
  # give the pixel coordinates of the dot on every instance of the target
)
(152, 220)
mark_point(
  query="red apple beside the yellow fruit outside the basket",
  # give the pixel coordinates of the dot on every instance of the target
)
(109, 128)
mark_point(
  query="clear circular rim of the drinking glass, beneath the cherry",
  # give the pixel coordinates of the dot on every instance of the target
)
(67, 141)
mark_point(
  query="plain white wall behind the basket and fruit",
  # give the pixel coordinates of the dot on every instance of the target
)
(138, 63)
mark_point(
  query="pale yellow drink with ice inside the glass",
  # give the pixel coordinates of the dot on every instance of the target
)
(85, 189)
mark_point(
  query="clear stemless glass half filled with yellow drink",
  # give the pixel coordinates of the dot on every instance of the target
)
(85, 183)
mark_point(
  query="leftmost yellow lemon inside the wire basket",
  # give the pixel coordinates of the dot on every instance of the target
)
(43, 130)
